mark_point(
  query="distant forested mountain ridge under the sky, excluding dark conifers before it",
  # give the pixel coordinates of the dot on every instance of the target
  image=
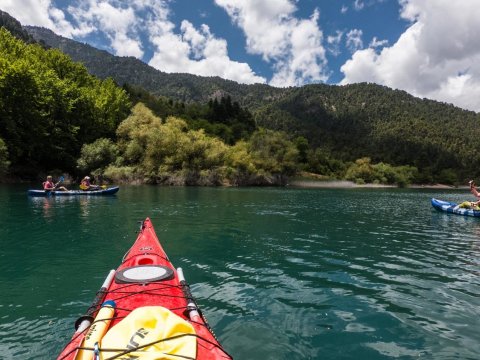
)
(345, 122)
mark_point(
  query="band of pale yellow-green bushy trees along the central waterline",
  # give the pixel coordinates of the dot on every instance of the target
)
(166, 151)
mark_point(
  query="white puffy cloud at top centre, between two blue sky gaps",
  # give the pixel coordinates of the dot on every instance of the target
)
(293, 46)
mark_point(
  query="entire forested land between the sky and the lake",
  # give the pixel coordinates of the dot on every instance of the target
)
(55, 115)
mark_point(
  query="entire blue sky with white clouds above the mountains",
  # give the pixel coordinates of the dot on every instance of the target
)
(429, 48)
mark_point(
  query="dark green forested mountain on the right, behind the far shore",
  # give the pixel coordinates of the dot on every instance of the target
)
(365, 120)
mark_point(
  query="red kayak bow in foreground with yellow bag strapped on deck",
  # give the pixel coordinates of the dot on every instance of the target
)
(144, 310)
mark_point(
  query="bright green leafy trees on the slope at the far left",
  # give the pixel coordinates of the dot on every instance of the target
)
(50, 106)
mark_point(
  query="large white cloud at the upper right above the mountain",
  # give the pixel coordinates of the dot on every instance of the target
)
(438, 56)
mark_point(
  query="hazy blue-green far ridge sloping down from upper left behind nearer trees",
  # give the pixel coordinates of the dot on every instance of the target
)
(178, 86)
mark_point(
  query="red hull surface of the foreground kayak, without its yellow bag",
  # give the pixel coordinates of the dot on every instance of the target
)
(169, 293)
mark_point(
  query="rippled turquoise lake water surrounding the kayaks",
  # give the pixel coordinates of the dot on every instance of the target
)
(279, 273)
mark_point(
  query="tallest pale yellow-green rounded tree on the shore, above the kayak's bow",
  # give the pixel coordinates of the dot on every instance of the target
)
(165, 150)
